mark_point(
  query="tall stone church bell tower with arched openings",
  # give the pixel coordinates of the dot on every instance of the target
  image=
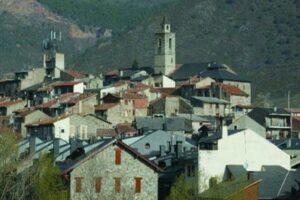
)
(165, 54)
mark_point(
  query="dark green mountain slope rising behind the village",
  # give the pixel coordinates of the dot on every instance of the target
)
(258, 38)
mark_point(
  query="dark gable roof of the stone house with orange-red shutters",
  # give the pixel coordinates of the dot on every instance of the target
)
(123, 146)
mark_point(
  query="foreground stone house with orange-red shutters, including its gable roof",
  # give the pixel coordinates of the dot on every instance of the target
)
(114, 171)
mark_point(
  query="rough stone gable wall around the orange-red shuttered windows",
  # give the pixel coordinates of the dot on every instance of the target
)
(103, 165)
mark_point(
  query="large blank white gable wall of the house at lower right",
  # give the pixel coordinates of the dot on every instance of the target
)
(245, 148)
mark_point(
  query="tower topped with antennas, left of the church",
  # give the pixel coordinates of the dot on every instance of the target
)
(53, 61)
